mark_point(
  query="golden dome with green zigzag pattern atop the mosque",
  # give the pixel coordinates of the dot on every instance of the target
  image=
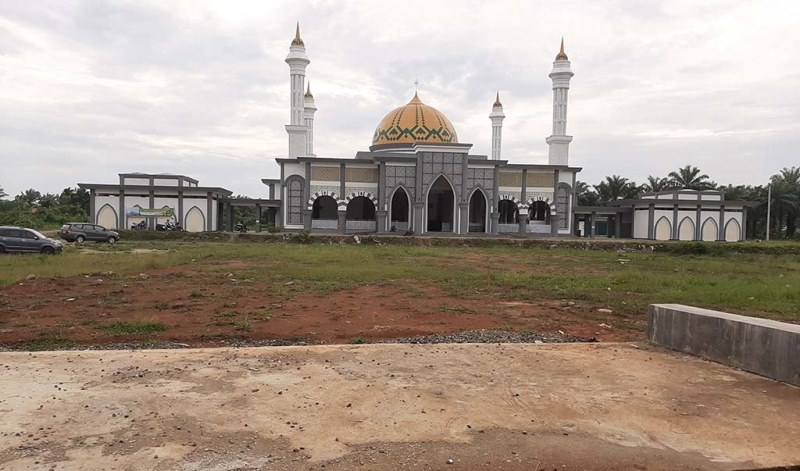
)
(413, 123)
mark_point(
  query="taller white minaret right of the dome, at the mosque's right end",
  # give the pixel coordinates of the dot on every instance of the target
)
(559, 141)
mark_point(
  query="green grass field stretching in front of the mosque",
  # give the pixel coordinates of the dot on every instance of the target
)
(754, 284)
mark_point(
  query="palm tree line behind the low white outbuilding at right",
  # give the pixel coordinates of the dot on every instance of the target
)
(784, 186)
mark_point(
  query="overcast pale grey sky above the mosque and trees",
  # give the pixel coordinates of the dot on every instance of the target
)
(92, 88)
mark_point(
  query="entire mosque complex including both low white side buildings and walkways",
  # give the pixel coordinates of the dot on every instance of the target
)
(418, 177)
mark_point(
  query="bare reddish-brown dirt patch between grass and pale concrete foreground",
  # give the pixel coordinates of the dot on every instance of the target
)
(207, 304)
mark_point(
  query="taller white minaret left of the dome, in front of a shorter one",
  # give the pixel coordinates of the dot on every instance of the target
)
(298, 62)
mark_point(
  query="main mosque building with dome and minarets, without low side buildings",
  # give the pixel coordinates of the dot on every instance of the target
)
(418, 176)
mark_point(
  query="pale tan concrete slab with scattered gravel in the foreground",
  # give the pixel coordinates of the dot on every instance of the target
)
(531, 407)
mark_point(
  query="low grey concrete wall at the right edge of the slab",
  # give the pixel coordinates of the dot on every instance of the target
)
(761, 346)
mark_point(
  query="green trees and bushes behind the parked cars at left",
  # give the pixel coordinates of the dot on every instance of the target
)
(45, 211)
